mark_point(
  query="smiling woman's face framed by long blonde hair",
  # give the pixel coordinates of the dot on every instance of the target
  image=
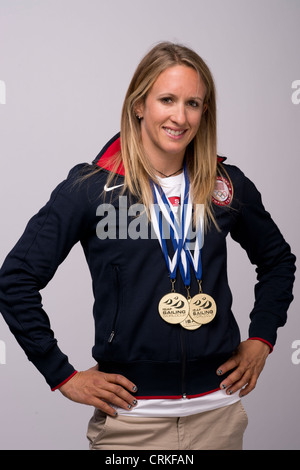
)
(172, 113)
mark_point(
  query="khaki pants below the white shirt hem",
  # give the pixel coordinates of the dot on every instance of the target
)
(220, 429)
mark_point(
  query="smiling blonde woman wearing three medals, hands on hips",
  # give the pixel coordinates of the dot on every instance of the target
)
(171, 367)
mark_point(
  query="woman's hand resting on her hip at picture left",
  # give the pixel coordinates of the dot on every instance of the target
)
(101, 390)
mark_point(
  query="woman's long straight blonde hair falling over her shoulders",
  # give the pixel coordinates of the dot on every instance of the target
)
(201, 154)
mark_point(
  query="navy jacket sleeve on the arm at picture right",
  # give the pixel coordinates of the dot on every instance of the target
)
(275, 264)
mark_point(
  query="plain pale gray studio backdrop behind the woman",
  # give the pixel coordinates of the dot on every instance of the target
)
(64, 68)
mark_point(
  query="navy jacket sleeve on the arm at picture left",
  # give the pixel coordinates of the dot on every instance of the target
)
(46, 241)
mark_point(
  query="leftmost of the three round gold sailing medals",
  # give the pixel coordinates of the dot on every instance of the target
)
(173, 308)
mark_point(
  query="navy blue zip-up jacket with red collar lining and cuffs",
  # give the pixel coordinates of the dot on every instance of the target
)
(129, 278)
